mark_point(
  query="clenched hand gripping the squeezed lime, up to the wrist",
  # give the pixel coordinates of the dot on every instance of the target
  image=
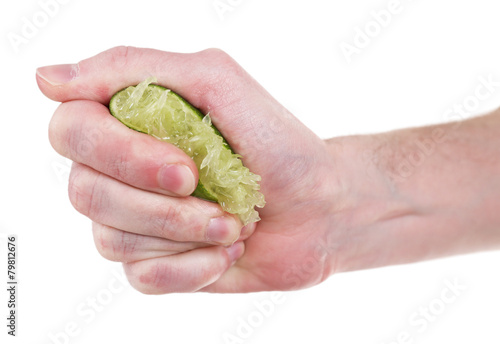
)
(133, 186)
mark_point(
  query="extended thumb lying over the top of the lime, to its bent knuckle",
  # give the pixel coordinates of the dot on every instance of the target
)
(205, 78)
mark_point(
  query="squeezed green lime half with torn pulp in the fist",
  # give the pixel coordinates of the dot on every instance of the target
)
(163, 114)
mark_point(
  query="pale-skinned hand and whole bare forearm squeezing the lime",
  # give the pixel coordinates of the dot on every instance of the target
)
(333, 205)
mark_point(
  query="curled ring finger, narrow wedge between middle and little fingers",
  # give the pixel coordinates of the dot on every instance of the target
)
(120, 246)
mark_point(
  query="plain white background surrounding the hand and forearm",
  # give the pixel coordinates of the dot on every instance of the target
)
(426, 60)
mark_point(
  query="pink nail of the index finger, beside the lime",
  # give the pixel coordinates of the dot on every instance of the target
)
(177, 179)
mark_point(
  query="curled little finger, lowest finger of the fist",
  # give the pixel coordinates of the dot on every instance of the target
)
(184, 272)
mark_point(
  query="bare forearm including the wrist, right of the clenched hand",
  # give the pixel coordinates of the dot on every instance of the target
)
(420, 193)
